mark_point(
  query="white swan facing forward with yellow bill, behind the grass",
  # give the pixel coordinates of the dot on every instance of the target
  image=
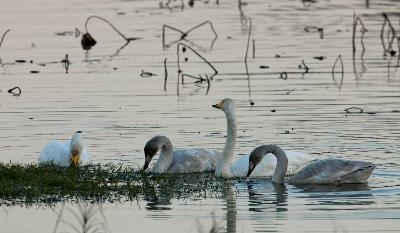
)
(69, 153)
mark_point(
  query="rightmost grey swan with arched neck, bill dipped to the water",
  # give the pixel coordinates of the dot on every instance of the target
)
(324, 171)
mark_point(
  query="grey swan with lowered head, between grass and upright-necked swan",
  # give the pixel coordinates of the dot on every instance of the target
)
(178, 161)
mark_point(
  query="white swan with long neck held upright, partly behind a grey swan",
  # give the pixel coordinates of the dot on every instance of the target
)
(239, 168)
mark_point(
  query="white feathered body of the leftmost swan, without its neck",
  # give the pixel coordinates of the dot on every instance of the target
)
(55, 152)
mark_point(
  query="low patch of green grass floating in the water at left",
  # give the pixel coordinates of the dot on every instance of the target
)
(27, 184)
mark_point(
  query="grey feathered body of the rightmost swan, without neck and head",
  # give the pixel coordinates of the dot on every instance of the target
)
(334, 171)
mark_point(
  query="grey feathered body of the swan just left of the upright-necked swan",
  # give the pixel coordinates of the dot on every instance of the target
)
(193, 160)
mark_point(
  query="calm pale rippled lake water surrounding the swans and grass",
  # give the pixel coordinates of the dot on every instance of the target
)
(118, 109)
